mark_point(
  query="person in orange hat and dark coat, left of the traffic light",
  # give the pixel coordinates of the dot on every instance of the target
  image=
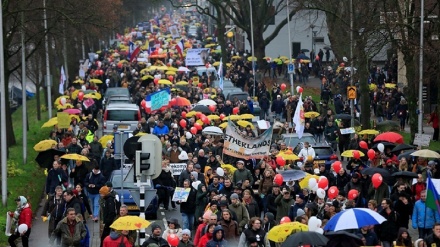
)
(109, 211)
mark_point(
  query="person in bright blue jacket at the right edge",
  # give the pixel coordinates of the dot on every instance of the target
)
(423, 217)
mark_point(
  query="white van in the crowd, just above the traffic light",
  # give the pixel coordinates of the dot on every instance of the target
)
(123, 116)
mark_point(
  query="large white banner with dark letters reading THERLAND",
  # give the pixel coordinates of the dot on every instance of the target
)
(244, 147)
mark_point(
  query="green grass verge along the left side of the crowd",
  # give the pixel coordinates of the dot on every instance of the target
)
(24, 179)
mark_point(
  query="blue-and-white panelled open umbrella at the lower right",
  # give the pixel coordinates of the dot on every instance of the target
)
(353, 218)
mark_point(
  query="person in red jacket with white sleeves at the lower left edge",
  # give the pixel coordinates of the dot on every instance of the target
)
(22, 215)
